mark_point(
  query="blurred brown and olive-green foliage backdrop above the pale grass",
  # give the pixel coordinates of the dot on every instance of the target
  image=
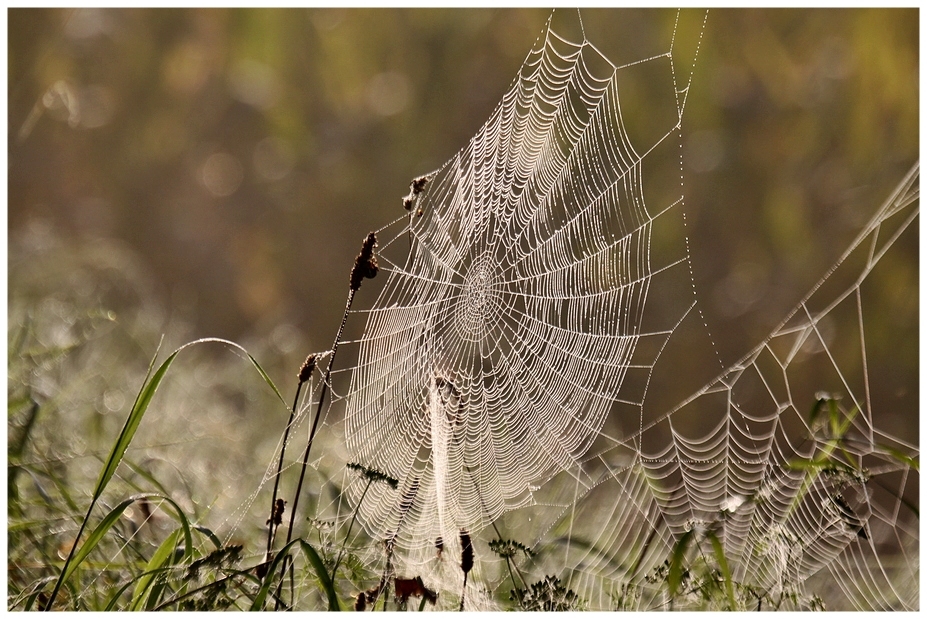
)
(244, 153)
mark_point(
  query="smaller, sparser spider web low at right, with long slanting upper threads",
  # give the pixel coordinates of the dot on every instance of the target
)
(779, 526)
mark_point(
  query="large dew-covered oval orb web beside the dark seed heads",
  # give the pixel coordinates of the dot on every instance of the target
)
(500, 342)
